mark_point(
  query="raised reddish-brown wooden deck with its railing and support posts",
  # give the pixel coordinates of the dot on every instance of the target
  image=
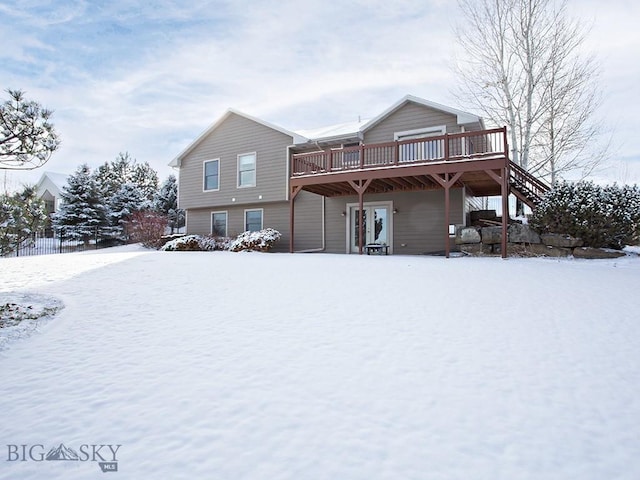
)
(477, 160)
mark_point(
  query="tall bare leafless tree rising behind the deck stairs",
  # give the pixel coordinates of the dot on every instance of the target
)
(521, 66)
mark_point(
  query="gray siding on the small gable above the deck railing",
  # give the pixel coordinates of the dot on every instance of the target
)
(410, 117)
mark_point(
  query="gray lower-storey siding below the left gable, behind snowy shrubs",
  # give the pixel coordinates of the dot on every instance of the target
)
(308, 220)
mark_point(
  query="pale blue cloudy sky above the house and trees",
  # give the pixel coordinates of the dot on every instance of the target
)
(149, 77)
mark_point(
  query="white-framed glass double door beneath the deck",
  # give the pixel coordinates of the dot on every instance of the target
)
(376, 226)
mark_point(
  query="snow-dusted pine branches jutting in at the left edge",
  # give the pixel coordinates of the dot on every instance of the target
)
(27, 136)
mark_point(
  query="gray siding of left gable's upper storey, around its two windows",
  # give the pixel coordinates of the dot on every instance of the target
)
(236, 135)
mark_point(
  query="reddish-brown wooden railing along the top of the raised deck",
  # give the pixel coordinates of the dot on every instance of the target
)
(448, 147)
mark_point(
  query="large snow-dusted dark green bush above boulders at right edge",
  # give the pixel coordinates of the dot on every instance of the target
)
(602, 216)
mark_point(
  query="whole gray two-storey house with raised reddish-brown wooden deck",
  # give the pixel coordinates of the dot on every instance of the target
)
(407, 176)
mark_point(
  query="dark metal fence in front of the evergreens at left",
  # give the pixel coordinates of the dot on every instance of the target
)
(65, 240)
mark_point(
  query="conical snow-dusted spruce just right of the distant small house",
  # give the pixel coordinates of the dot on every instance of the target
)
(82, 206)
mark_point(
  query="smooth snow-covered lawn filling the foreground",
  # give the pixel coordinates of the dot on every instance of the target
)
(275, 366)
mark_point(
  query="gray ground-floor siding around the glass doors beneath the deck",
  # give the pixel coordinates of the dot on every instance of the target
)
(418, 227)
